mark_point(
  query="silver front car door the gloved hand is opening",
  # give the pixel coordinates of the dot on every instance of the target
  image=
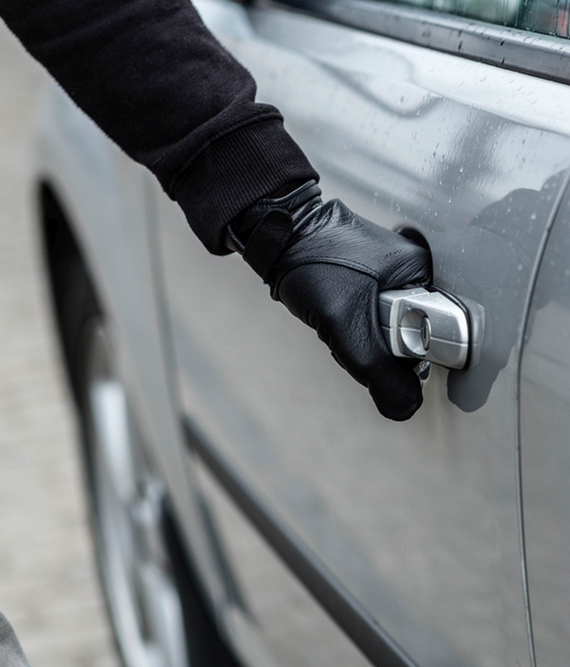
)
(338, 536)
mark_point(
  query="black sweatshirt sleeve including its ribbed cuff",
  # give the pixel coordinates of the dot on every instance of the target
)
(161, 86)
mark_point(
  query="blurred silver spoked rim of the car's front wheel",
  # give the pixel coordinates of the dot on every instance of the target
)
(128, 510)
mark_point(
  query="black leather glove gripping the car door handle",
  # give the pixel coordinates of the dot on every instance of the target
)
(328, 266)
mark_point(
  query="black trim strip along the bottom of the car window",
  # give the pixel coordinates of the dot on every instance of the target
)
(524, 51)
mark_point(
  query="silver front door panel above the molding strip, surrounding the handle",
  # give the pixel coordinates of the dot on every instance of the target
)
(419, 521)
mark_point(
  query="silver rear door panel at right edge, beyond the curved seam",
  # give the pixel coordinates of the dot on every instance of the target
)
(544, 424)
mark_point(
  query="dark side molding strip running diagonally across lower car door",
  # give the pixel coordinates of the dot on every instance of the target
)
(337, 601)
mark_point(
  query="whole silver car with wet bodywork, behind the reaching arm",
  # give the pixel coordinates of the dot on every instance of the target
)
(249, 504)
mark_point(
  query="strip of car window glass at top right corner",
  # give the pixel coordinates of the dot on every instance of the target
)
(550, 17)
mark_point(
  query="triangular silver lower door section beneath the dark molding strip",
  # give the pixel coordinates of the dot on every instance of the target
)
(270, 616)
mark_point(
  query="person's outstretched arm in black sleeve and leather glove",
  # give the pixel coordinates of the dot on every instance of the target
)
(159, 84)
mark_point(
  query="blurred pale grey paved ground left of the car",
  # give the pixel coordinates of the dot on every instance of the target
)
(48, 584)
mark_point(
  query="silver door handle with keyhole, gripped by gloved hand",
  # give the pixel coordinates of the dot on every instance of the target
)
(432, 326)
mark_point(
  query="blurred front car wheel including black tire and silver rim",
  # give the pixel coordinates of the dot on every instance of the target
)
(155, 604)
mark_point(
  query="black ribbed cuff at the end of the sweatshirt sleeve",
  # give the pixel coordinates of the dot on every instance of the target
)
(235, 171)
